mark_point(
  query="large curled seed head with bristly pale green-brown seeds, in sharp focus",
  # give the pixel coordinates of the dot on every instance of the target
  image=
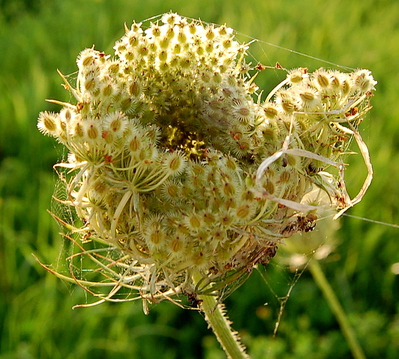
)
(176, 161)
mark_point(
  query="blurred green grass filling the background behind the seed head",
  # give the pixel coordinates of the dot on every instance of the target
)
(36, 319)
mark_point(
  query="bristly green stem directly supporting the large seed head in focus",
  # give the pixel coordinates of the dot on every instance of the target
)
(218, 321)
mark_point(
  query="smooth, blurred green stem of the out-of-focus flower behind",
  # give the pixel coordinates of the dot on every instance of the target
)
(337, 309)
